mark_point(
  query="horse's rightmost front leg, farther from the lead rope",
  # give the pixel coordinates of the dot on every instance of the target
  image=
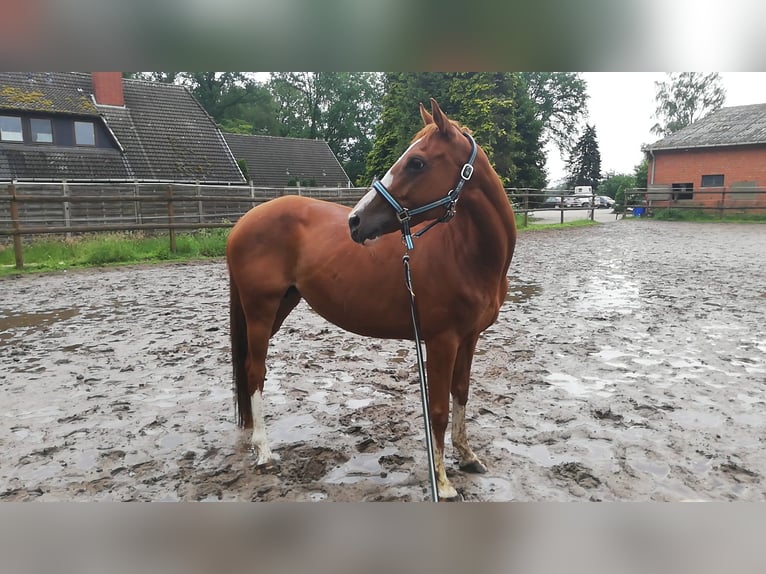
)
(461, 379)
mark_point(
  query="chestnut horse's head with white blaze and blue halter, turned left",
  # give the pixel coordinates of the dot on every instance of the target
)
(422, 185)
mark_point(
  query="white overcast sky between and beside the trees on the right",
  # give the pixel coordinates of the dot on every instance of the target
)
(621, 106)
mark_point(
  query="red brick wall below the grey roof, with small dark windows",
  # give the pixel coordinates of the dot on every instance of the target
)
(742, 167)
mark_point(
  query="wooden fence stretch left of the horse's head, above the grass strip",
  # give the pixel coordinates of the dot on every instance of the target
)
(35, 208)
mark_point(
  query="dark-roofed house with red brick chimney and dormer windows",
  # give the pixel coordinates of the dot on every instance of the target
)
(99, 126)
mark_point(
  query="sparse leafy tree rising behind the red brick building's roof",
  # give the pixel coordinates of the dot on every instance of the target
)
(685, 98)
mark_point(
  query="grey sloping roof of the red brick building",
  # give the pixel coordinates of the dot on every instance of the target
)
(732, 126)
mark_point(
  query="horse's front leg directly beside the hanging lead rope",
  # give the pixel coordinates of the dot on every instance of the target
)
(441, 361)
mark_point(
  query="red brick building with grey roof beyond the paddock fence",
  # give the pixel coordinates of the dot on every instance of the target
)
(716, 162)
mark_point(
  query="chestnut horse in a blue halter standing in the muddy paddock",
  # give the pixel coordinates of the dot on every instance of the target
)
(294, 247)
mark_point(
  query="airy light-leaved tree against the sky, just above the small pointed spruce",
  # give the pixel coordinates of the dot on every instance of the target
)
(561, 104)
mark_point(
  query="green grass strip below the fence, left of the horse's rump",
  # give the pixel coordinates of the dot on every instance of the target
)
(113, 249)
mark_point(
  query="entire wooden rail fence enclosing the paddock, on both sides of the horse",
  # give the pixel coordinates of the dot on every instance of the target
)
(29, 208)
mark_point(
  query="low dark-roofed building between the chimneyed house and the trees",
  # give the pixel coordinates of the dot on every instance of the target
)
(281, 162)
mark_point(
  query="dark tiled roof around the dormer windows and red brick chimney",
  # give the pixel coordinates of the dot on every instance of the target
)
(163, 131)
